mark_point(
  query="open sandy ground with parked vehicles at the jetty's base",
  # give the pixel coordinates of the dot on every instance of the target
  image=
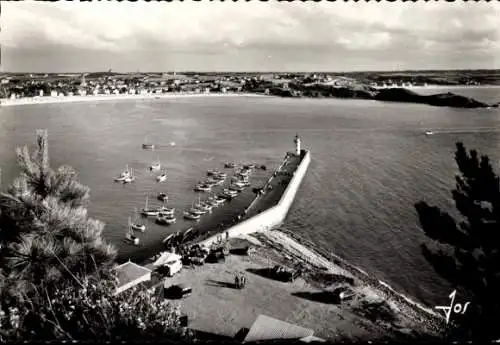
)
(215, 306)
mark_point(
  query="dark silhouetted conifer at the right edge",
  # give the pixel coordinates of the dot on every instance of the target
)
(470, 248)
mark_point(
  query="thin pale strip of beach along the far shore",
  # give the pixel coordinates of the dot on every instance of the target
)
(6, 102)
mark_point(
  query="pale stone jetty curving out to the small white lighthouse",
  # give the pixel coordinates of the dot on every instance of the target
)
(258, 220)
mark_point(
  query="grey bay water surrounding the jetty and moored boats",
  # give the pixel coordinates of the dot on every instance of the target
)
(370, 164)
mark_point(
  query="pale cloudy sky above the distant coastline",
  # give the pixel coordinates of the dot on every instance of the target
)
(71, 36)
